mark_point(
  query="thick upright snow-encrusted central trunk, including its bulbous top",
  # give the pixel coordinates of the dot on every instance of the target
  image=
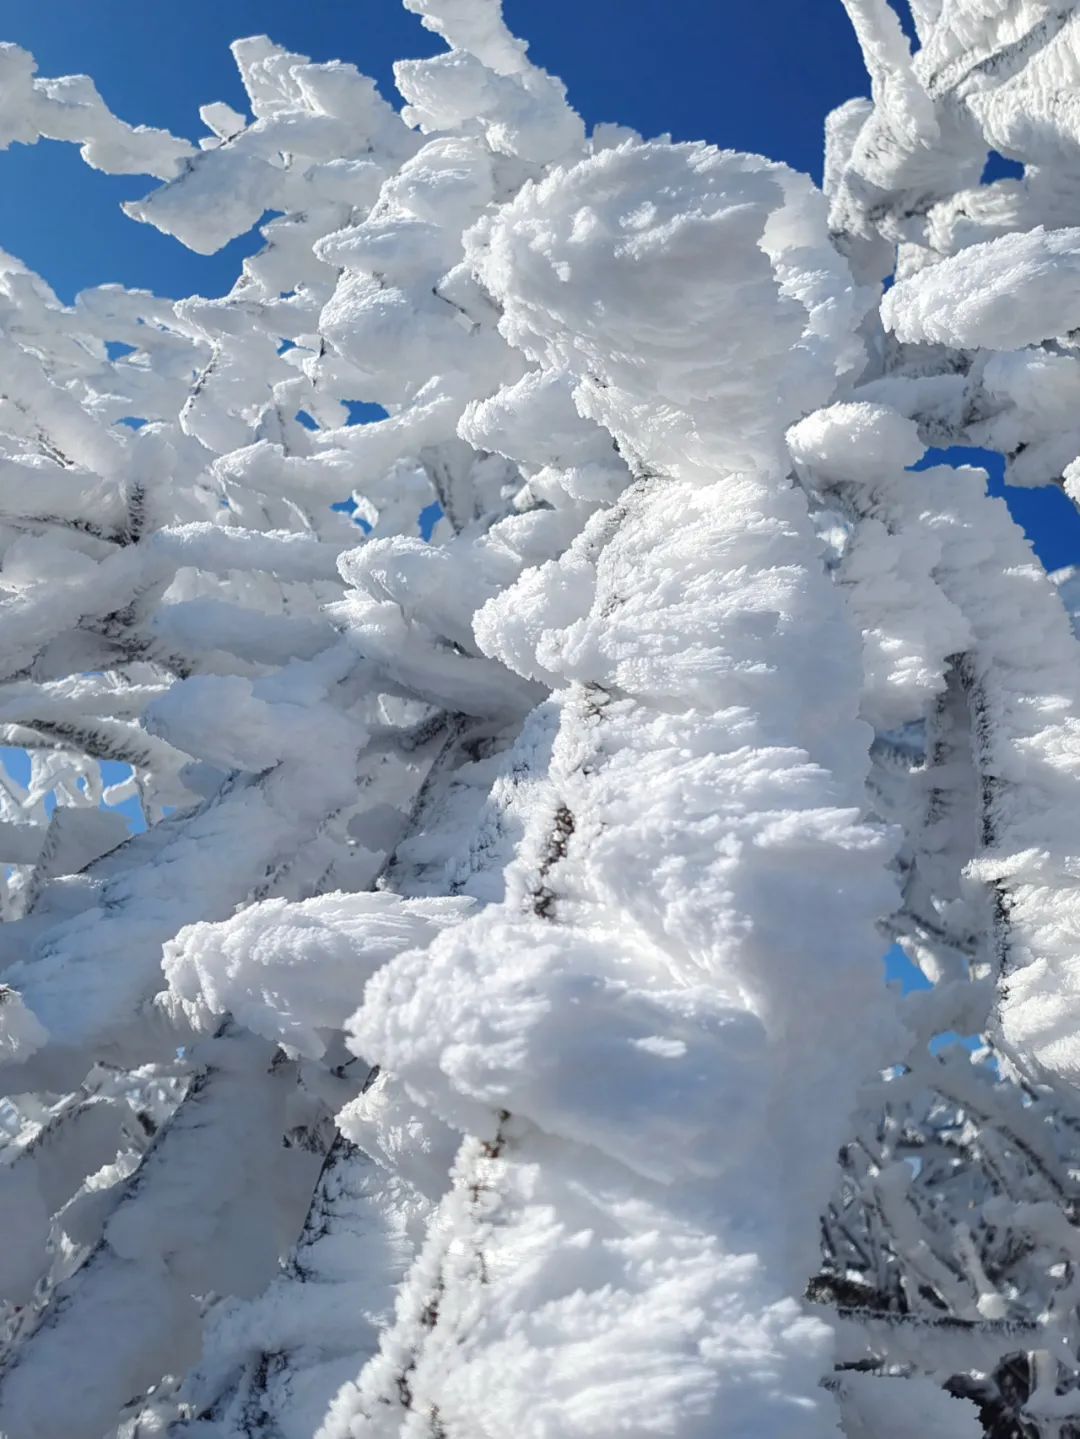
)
(691, 995)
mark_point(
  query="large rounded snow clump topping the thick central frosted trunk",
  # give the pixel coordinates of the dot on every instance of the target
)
(687, 228)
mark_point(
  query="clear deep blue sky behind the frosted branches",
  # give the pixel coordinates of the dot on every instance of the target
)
(750, 77)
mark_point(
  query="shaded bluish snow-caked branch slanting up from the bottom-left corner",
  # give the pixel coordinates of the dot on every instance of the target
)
(201, 1215)
